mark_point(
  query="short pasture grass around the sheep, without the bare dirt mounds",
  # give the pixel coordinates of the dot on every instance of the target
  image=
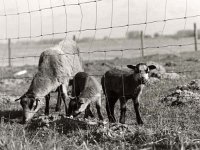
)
(164, 127)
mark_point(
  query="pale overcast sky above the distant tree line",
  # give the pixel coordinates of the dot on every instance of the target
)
(95, 14)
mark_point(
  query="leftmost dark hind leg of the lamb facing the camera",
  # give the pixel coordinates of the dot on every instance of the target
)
(110, 106)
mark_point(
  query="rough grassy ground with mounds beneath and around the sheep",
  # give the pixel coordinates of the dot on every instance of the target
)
(169, 107)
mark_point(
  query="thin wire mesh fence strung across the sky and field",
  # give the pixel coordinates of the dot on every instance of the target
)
(79, 4)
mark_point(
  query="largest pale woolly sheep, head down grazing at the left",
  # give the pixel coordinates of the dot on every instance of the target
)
(55, 69)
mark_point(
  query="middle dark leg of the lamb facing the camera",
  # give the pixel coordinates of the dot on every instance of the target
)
(123, 109)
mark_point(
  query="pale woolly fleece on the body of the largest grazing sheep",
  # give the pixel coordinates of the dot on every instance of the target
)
(56, 66)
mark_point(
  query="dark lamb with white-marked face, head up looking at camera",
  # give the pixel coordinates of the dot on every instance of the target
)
(124, 85)
